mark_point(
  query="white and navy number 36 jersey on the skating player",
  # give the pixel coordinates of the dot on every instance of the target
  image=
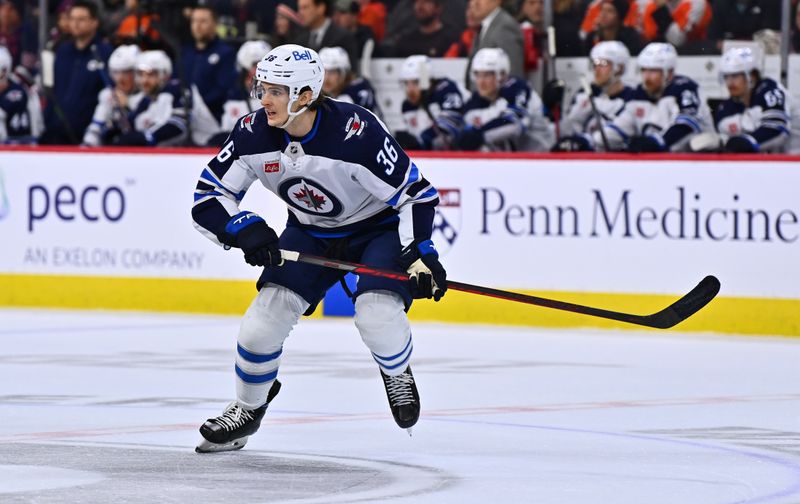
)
(346, 175)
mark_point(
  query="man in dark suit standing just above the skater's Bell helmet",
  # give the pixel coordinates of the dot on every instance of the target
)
(322, 32)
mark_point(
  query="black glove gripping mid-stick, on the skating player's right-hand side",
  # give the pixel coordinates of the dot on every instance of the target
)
(427, 277)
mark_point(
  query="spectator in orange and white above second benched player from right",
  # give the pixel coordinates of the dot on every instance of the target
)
(676, 21)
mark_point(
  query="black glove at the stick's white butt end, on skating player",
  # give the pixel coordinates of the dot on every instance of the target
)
(259, 242)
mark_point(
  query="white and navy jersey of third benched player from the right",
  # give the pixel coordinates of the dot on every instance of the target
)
(580, 117)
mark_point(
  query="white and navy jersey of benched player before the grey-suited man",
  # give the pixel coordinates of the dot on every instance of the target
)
(514, 121)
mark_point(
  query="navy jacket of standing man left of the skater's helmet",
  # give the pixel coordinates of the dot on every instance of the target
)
(213, 71)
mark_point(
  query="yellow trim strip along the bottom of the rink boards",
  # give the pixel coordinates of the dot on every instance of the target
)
(731, 315)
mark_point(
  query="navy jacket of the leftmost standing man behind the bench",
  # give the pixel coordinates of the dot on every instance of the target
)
(78, 81)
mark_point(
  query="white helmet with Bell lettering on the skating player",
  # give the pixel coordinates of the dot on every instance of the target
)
(295, 67)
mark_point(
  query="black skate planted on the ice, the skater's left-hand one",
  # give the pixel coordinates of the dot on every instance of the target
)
(231, 430)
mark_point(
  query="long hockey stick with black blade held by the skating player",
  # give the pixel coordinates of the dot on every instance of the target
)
(675, 313)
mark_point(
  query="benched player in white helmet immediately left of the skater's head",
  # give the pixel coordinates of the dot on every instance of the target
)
(239, 102)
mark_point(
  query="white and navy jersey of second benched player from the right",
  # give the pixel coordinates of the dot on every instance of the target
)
(676, 117)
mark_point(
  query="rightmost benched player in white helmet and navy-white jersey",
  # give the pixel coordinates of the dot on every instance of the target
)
(760, 115)
